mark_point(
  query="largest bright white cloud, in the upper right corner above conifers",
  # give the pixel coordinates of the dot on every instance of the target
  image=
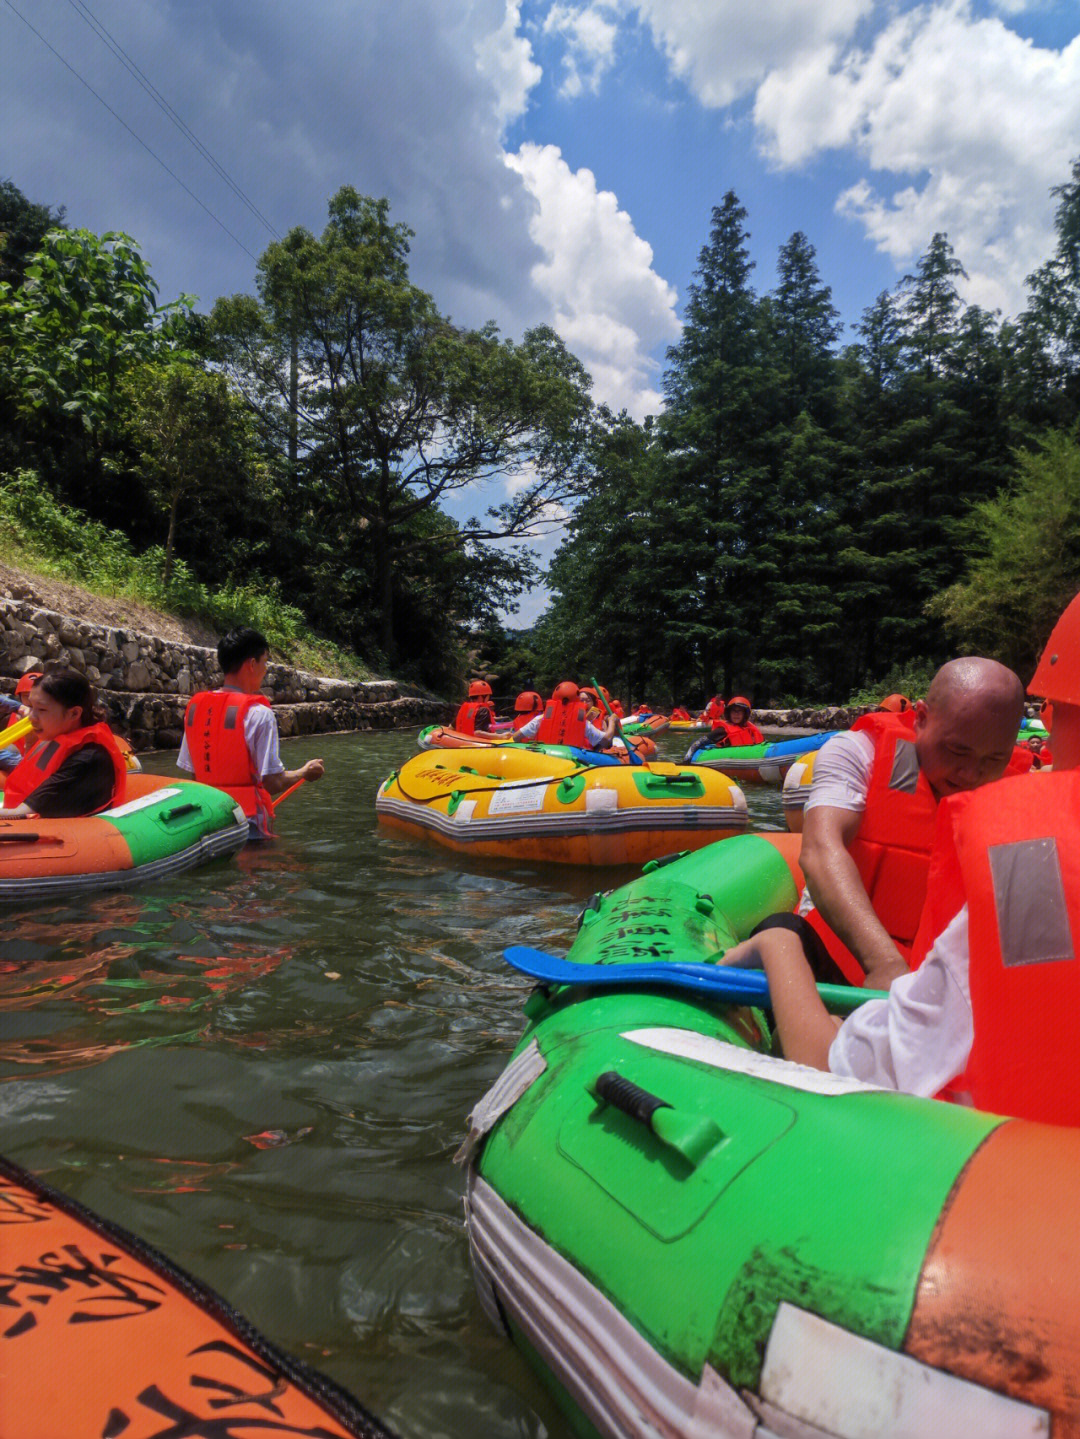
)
(979, 122)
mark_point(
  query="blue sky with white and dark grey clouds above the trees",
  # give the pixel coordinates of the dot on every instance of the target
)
(559, 162)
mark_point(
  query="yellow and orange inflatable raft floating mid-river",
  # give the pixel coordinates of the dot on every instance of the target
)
(513, 804)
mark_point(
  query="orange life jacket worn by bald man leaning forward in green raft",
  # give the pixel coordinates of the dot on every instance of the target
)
(892, 848)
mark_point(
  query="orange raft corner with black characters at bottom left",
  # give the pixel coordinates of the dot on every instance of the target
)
(103, 1338)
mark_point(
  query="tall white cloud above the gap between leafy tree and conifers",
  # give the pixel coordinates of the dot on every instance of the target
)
(598, 276)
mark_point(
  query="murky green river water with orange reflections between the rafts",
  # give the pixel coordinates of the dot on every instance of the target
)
(264, 1070)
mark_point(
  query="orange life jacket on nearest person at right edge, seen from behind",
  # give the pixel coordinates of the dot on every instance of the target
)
(1017, 866)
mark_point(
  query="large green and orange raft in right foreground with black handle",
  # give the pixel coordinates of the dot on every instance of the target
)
(691, 1238)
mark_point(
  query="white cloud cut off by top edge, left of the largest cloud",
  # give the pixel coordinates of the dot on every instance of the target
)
(724, 48)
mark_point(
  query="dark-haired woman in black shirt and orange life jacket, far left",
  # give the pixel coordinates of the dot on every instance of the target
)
(73, 765)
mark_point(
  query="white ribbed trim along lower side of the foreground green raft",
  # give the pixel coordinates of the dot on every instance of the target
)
(615, 1375)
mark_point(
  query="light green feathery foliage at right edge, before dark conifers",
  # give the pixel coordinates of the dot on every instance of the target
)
(1025, 563)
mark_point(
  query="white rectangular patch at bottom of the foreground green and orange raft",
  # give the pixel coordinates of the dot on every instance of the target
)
(849, 1386)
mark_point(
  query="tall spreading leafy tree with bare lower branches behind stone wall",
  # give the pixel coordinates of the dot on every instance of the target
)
(388, 408)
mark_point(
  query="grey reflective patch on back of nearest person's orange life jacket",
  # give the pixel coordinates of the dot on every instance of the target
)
(1030, 902)
